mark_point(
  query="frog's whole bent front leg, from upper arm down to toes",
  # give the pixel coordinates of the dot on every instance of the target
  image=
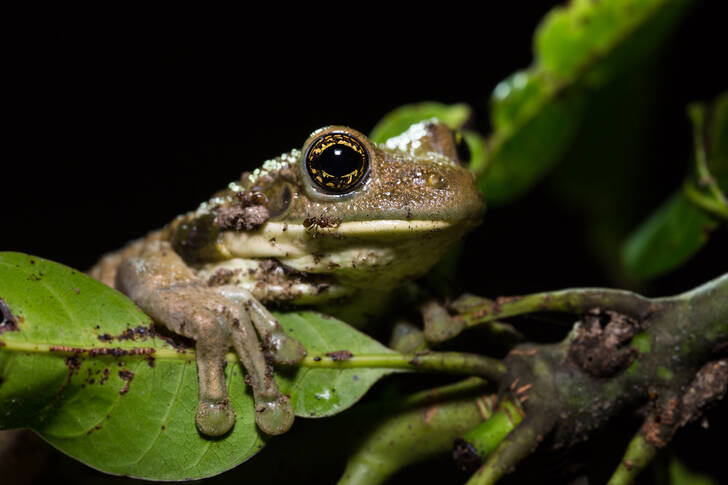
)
(160, 282)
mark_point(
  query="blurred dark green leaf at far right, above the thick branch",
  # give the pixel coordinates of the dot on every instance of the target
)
(670, 237)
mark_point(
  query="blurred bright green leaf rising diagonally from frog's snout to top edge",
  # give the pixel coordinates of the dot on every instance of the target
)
(537, 112)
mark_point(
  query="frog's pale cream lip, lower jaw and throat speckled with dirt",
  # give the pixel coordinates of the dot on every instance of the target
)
(379, 253)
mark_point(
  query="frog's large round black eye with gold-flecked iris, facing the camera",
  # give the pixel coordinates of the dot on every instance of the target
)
(337, 162)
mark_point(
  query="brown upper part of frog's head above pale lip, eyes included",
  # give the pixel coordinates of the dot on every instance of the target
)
(341, 175)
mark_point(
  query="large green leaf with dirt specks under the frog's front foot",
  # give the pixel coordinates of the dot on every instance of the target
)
(81, 365)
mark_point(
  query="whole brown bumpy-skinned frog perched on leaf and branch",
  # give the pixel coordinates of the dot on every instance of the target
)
(339, 220)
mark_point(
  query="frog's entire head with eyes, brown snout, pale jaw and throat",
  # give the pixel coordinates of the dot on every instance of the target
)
(358, 210)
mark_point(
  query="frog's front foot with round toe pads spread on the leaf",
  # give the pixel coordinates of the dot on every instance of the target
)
(216, 323)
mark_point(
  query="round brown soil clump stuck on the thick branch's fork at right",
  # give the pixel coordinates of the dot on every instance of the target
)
(600, 345)
